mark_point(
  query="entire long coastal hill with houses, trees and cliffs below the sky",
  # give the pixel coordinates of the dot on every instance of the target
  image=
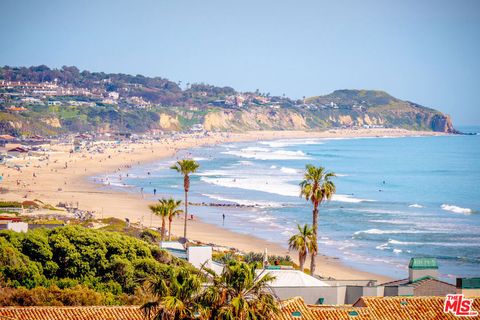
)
(44, 101)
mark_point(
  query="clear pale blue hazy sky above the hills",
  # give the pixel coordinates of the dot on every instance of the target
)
(424, 51)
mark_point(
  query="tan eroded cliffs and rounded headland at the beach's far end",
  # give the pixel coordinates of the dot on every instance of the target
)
(342, 108)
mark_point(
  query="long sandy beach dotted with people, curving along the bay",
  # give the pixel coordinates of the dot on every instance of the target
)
(61, 176)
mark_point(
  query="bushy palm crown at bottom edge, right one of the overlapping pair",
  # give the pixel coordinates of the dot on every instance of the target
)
(240, 293)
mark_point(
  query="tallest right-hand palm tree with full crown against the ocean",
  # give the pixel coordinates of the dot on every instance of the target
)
(316, 187)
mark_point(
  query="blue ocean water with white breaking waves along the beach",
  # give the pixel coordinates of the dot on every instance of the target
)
(396, 197)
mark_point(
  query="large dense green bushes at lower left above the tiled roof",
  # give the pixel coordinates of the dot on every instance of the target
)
(106, 262)
